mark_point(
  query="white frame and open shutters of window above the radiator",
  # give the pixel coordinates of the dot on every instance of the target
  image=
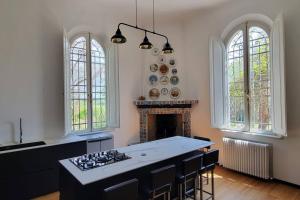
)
(217, 73)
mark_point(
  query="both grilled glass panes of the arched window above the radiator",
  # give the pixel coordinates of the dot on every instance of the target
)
(248, 79)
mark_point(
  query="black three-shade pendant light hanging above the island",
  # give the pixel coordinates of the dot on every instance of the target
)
(118, 38)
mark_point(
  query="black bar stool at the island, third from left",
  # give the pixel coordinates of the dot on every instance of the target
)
(187, 176)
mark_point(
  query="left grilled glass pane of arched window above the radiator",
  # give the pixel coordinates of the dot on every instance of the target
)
(235, 80)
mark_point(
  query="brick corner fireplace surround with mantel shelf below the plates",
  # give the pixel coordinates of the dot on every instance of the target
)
(147, 108)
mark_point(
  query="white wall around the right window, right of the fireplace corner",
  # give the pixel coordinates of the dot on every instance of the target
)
(198, 28)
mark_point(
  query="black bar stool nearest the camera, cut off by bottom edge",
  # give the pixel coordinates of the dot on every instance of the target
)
(127, 190)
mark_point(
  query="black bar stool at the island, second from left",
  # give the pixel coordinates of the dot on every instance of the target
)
(161, 182)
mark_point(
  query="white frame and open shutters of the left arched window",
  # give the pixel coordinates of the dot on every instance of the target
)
(112, 85)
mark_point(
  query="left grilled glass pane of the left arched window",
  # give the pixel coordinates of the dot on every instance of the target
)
(78, 85)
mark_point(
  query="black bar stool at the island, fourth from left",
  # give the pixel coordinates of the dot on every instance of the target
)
(210, 159)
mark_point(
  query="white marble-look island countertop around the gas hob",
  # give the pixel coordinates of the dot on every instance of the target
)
(155, 151)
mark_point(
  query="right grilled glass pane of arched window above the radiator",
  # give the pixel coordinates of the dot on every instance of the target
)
(259, 80)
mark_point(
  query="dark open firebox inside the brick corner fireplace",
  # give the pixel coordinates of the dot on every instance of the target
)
(164, 126)
